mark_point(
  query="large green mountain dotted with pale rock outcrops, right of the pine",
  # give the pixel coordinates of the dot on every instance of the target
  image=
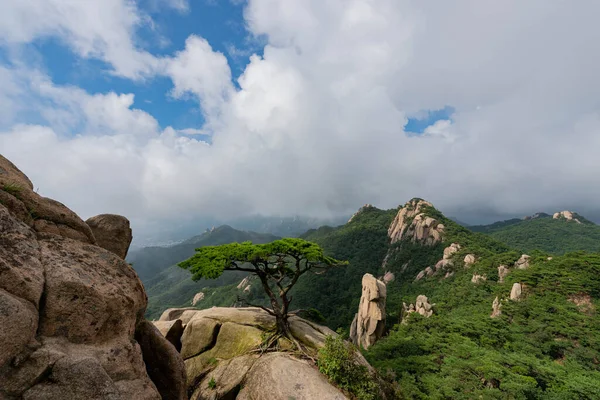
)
(498, 323)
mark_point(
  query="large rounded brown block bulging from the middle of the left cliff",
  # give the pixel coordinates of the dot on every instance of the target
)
(91, 294)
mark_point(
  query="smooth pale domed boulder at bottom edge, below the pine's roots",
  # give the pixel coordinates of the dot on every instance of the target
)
(286, 378)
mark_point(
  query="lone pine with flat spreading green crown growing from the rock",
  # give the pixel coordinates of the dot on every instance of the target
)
(278, 265)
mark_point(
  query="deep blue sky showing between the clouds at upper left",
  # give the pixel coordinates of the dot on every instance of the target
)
(219, 22)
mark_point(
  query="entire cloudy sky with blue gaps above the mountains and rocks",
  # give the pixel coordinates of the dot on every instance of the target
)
(171, 110)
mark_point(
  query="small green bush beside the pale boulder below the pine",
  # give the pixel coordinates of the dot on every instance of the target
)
(337, 362)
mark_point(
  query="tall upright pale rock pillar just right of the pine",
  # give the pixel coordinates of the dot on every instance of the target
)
(369, 323)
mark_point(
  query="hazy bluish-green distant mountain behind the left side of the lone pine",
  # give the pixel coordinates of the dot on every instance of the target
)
(170, 286)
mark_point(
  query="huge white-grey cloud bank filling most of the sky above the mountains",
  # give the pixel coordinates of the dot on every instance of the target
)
(316, 125)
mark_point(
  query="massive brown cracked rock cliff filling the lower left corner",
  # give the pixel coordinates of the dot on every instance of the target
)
(69, 310)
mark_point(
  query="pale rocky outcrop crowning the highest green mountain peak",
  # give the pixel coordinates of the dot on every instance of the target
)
(413, 224)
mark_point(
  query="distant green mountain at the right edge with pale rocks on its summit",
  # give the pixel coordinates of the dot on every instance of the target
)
(558, 233)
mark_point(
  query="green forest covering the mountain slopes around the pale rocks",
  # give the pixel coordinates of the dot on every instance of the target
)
(545, 345)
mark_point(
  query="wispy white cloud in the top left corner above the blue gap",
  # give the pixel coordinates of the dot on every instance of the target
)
(92, 29)
